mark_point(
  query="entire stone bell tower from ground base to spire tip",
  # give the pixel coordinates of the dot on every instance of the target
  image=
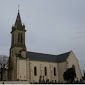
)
(17, 49)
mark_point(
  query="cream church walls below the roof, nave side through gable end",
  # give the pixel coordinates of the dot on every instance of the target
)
(60, 69)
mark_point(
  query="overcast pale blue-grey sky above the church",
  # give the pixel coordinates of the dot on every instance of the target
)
(53, 26)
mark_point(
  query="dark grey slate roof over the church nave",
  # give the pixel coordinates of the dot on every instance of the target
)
(47, 57)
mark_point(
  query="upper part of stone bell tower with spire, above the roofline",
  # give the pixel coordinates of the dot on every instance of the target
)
(17, 36)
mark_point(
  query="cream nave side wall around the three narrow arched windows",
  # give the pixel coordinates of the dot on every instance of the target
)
(41, 72)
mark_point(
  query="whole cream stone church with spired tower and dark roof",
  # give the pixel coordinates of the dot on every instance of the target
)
(31, 66)
